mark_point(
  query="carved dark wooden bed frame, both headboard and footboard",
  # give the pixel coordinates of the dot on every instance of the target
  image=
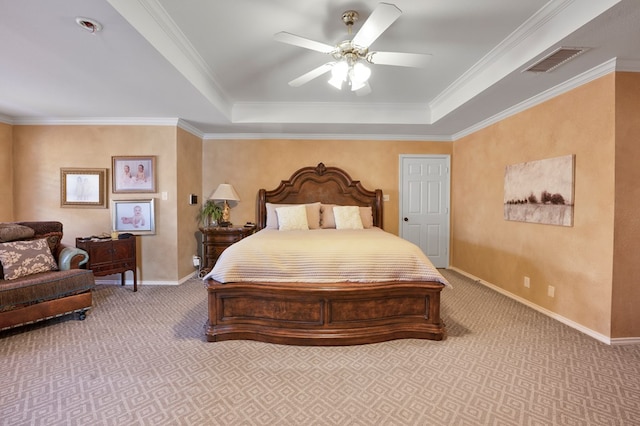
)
(342, 313)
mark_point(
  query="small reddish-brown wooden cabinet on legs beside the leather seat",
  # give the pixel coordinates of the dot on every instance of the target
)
(107, 257)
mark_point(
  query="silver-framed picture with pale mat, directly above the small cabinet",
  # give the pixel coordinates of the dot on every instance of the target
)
(134, 216)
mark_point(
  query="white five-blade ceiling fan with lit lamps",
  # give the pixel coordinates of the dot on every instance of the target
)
(350, 56)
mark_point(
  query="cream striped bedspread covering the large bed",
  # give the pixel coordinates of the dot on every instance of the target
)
(324, 256)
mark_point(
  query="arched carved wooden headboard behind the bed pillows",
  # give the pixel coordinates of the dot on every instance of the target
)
(329, 185)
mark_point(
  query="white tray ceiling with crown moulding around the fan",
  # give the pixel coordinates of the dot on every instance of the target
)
(213, 67)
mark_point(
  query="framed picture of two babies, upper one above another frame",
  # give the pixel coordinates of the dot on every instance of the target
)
(133, 174)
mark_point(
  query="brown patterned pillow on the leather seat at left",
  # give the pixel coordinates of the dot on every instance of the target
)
(22, 258)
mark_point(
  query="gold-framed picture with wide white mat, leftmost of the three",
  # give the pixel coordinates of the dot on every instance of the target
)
(83, 187)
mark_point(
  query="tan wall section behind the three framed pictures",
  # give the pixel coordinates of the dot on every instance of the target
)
(40, 152)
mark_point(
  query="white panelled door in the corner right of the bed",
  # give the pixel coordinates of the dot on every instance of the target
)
(424, 204)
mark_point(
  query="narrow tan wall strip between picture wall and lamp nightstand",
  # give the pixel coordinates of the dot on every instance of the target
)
(189, 166)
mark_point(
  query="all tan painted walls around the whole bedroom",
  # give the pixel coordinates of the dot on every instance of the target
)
(592, 264)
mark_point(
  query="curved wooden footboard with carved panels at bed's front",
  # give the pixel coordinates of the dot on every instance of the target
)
(324, 314)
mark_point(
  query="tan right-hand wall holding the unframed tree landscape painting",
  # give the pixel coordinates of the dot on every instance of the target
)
(576, 260)
